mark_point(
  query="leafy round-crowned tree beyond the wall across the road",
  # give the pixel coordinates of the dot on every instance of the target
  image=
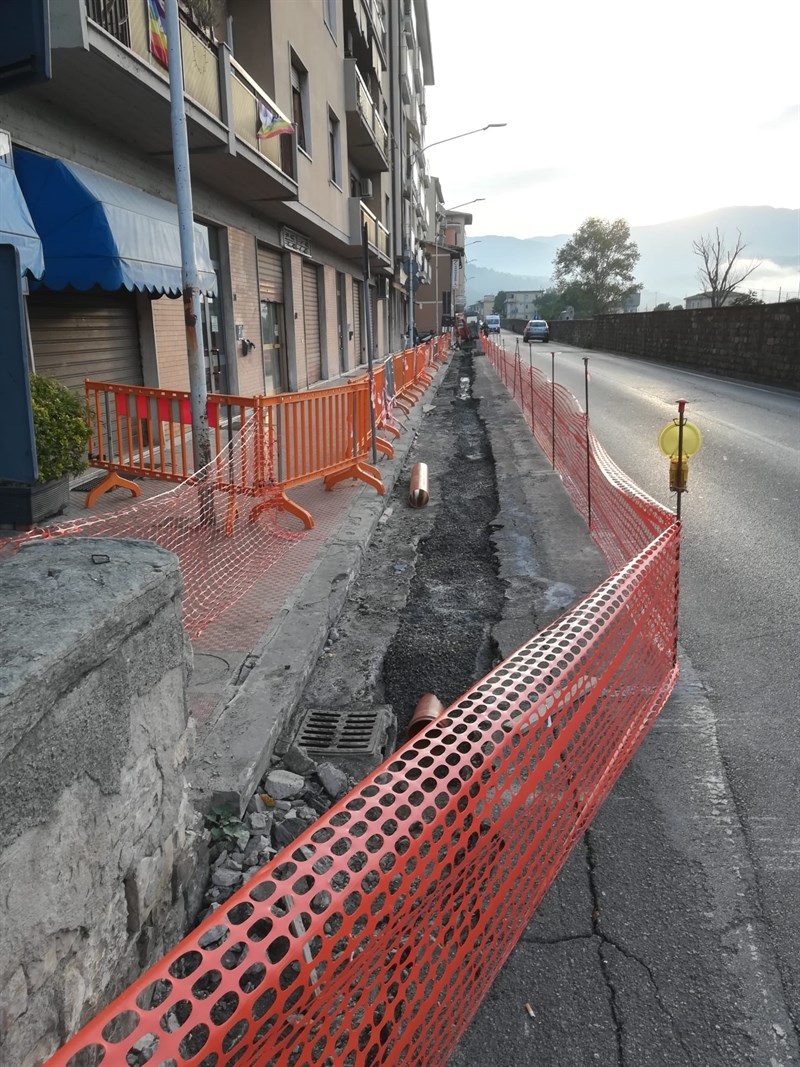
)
(598, 265)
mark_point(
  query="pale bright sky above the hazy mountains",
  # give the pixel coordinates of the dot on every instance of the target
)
(622, 109)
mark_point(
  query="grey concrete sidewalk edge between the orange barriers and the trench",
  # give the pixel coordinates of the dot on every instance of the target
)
(252, 664)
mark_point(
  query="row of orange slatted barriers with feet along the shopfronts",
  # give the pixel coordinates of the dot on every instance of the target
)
(322, 434)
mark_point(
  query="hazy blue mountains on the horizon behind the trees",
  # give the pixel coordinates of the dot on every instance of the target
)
(668, 268)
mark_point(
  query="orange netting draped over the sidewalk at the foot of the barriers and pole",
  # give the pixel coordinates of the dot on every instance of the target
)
(209, 522)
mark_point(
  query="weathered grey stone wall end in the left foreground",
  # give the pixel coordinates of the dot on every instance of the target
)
(99, 858)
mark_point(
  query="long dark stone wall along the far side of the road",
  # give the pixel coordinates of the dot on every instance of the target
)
(759, 344)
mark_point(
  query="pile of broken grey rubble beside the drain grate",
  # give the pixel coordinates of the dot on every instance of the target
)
(291, 798)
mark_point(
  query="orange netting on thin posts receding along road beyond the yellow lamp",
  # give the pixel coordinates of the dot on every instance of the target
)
(623, 519)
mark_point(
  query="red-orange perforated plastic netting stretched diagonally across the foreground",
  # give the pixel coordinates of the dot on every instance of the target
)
(373, 938)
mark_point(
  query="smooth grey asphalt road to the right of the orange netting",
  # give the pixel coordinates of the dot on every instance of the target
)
(740, 608)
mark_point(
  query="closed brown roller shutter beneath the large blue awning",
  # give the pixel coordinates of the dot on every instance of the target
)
(79, 336)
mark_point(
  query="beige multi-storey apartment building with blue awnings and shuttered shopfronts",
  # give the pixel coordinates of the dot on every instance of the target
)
(303, 120)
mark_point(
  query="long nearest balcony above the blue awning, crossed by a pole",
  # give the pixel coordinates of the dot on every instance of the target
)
(103, 66)
